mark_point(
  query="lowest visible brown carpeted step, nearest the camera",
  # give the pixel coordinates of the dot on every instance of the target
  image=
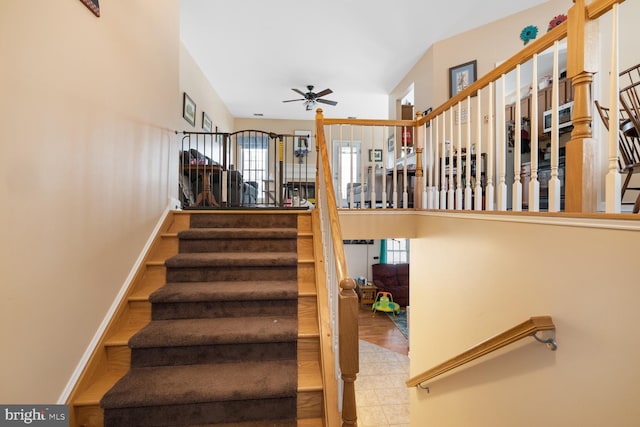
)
(203, 394)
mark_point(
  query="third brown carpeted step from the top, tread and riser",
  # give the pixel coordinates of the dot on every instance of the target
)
(220, 266)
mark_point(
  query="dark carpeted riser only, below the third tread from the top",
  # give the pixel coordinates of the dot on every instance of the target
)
(243, 273)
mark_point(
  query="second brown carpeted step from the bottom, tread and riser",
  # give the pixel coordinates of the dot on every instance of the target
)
(191, 341)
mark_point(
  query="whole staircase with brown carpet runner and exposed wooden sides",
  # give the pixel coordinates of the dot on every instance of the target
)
(234, 324)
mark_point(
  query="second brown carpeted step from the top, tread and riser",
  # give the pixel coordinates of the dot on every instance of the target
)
(238, 240)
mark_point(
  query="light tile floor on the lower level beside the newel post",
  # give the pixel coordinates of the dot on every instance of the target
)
(382, 397)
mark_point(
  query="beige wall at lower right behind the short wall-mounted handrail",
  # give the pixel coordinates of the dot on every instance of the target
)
(474, 278)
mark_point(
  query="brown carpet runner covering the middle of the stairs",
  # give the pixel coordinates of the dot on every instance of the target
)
(221, 348)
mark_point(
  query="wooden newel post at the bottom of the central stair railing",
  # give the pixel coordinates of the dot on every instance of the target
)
(349, 351)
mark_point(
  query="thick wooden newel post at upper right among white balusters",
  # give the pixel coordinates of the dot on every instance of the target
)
(580, 160)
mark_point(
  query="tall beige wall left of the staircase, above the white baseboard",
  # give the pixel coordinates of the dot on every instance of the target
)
(89, 106)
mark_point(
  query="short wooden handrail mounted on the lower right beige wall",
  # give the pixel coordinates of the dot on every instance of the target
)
(525, 329)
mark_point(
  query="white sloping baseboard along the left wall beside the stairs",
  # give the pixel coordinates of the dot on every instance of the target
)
(116, 302)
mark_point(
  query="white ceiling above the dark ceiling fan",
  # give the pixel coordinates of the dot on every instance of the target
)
(255, 51)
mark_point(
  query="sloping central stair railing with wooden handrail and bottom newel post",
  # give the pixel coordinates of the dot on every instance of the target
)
(342, 297)
